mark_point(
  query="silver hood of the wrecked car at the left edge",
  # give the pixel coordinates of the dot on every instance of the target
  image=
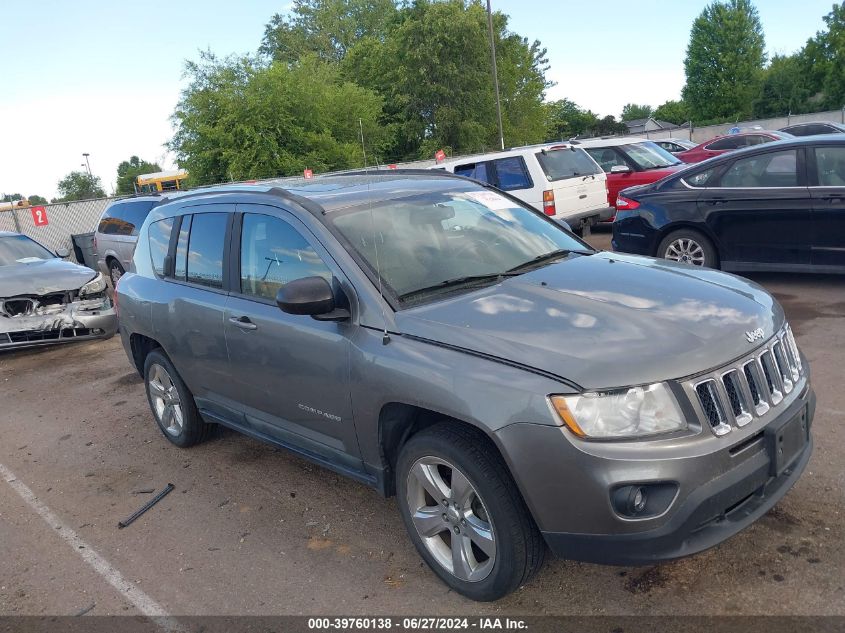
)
(43, 277)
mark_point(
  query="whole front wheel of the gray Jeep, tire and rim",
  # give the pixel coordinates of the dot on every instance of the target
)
(464, 513)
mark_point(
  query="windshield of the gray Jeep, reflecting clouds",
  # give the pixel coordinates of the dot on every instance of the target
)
(433, 242)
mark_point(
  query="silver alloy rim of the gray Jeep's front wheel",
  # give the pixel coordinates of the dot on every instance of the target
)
(451, 519)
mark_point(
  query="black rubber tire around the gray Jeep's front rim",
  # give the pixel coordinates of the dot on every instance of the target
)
(519, 547)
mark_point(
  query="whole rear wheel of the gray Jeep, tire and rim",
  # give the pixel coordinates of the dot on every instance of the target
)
(172, 403)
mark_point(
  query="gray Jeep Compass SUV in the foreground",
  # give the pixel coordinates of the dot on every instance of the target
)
(441, 341)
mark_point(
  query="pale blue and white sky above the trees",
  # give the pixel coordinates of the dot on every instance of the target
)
(103, 76)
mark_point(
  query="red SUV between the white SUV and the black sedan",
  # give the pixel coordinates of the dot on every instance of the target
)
(629, 162)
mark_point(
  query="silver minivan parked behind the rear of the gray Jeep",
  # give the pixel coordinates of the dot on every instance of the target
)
(117, 234)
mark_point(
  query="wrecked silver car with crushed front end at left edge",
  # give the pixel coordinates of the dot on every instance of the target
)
(45, 299)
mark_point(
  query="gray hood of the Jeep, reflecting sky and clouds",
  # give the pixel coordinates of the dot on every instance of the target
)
(605, 320)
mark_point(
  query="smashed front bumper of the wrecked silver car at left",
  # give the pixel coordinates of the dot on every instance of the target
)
(80, 320)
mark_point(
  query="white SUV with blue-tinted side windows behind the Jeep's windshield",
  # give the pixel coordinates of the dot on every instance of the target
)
(560, 179)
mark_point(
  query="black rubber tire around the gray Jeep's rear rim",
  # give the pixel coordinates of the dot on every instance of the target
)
(193, 428)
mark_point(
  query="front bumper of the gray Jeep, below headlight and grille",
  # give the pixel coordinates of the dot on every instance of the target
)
(719, 493)
